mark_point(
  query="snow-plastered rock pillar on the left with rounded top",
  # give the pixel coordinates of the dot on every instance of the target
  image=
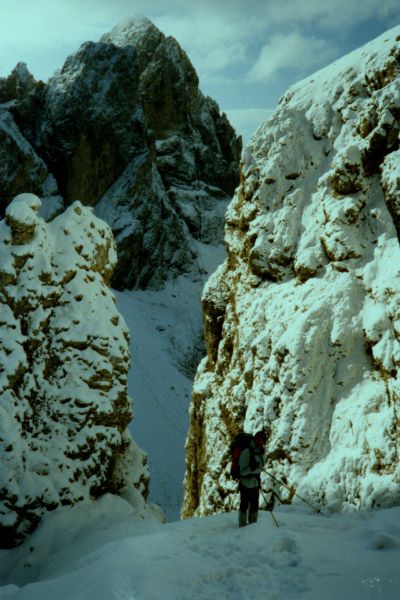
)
(63, 368)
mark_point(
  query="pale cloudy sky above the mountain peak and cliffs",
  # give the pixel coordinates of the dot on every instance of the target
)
(246, 52)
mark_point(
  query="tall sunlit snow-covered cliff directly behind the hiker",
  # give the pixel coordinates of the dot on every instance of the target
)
(302, 322)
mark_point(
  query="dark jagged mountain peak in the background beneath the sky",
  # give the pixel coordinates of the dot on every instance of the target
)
(123, 127)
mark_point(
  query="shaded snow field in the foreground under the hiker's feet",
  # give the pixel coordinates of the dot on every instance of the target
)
(105, 550)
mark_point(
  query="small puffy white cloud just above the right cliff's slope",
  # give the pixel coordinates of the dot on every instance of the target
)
(290, 51)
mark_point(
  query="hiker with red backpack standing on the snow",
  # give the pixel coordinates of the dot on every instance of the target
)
(251, 463)
